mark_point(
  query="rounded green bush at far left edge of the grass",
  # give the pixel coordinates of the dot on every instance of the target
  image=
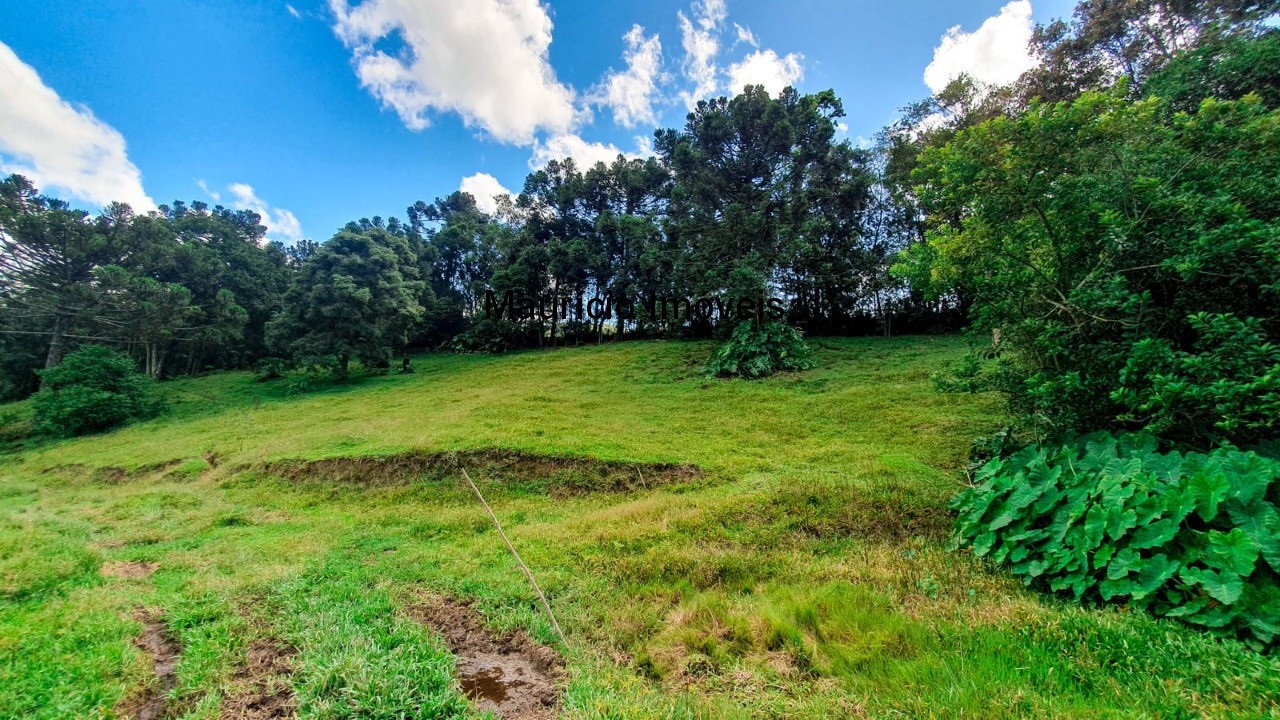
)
(93, 390)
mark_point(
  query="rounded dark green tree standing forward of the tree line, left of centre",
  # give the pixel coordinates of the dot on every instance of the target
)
(356, 298)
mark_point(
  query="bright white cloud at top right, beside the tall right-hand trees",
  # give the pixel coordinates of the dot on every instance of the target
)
(998, 53)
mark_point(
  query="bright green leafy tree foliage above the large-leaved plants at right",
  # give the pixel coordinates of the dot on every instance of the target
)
(1113, 249)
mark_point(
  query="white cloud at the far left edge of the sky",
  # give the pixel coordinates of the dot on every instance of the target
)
(60, 147)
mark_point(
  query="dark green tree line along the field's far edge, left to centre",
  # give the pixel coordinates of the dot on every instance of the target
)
(753, 198)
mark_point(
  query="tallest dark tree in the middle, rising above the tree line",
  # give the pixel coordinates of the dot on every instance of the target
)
(739, 207)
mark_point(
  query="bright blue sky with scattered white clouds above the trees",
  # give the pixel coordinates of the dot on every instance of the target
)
(316, 113)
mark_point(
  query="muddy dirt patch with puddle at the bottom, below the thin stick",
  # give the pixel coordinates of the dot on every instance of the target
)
(510, 676)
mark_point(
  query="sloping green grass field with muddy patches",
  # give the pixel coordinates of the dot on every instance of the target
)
(803, 572)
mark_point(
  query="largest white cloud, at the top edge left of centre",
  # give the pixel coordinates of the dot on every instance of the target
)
(483, 60)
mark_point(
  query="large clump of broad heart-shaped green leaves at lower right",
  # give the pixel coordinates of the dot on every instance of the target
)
(1190, 536)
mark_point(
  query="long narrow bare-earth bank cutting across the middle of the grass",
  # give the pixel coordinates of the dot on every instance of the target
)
(555, 475)
